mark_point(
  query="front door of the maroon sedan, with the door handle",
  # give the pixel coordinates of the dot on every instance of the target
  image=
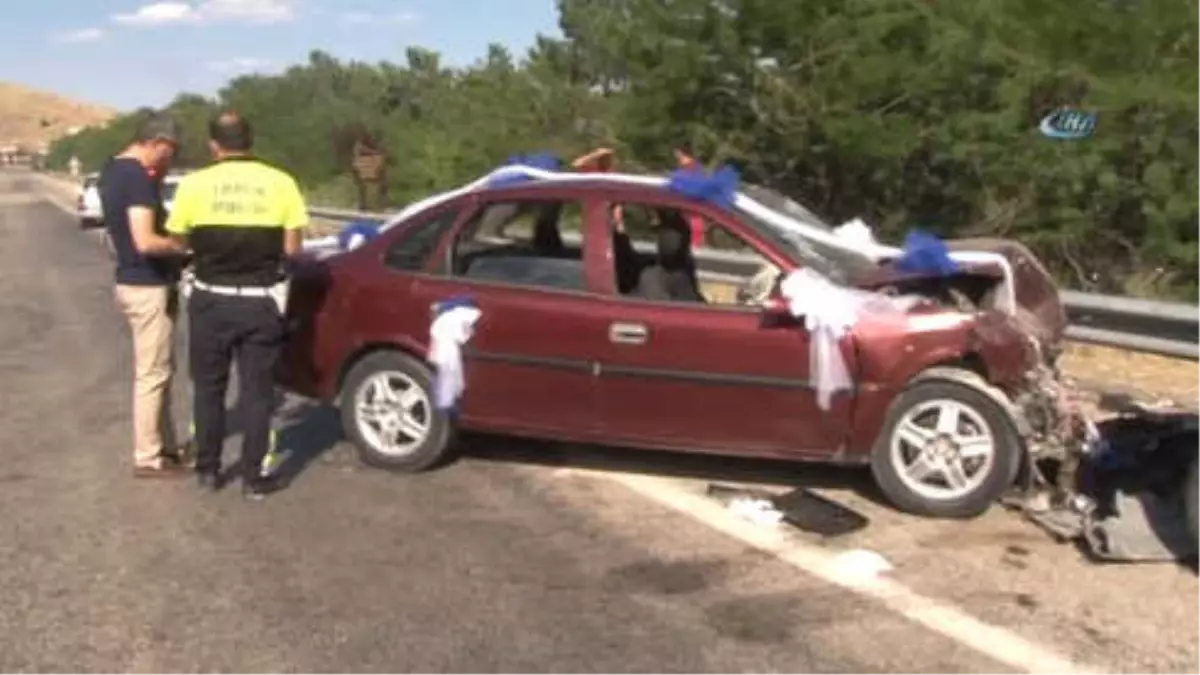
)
(711, 377)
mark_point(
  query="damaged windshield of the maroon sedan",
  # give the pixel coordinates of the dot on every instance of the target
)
(837, 265)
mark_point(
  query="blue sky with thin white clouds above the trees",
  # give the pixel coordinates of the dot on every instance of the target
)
(130, 53)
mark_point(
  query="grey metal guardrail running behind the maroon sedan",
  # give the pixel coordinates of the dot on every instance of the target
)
(1171, 330)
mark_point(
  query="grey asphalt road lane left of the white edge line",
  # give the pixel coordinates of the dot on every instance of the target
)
(488, 566)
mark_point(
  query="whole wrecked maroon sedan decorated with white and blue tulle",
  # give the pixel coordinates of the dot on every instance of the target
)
(601, 322)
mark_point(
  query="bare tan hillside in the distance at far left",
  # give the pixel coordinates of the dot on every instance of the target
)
(32, 118)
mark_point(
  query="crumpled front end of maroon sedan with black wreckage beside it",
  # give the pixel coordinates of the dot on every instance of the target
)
(1123, 480)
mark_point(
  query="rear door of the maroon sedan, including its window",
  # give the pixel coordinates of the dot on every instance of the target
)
(530, 367)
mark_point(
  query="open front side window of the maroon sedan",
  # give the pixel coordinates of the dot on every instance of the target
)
(703, 264)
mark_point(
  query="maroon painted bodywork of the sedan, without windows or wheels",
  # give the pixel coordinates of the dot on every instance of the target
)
(543, 362)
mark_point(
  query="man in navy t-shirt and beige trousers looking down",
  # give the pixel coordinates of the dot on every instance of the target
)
(148, 266)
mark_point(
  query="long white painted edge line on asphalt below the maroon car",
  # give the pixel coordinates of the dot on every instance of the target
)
(994, 642)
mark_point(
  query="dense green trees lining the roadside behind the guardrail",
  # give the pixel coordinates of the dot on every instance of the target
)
(902, 112)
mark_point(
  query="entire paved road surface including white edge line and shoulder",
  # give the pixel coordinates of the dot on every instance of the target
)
(523, 558)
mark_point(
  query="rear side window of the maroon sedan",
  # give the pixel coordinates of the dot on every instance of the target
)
(526, 243)
